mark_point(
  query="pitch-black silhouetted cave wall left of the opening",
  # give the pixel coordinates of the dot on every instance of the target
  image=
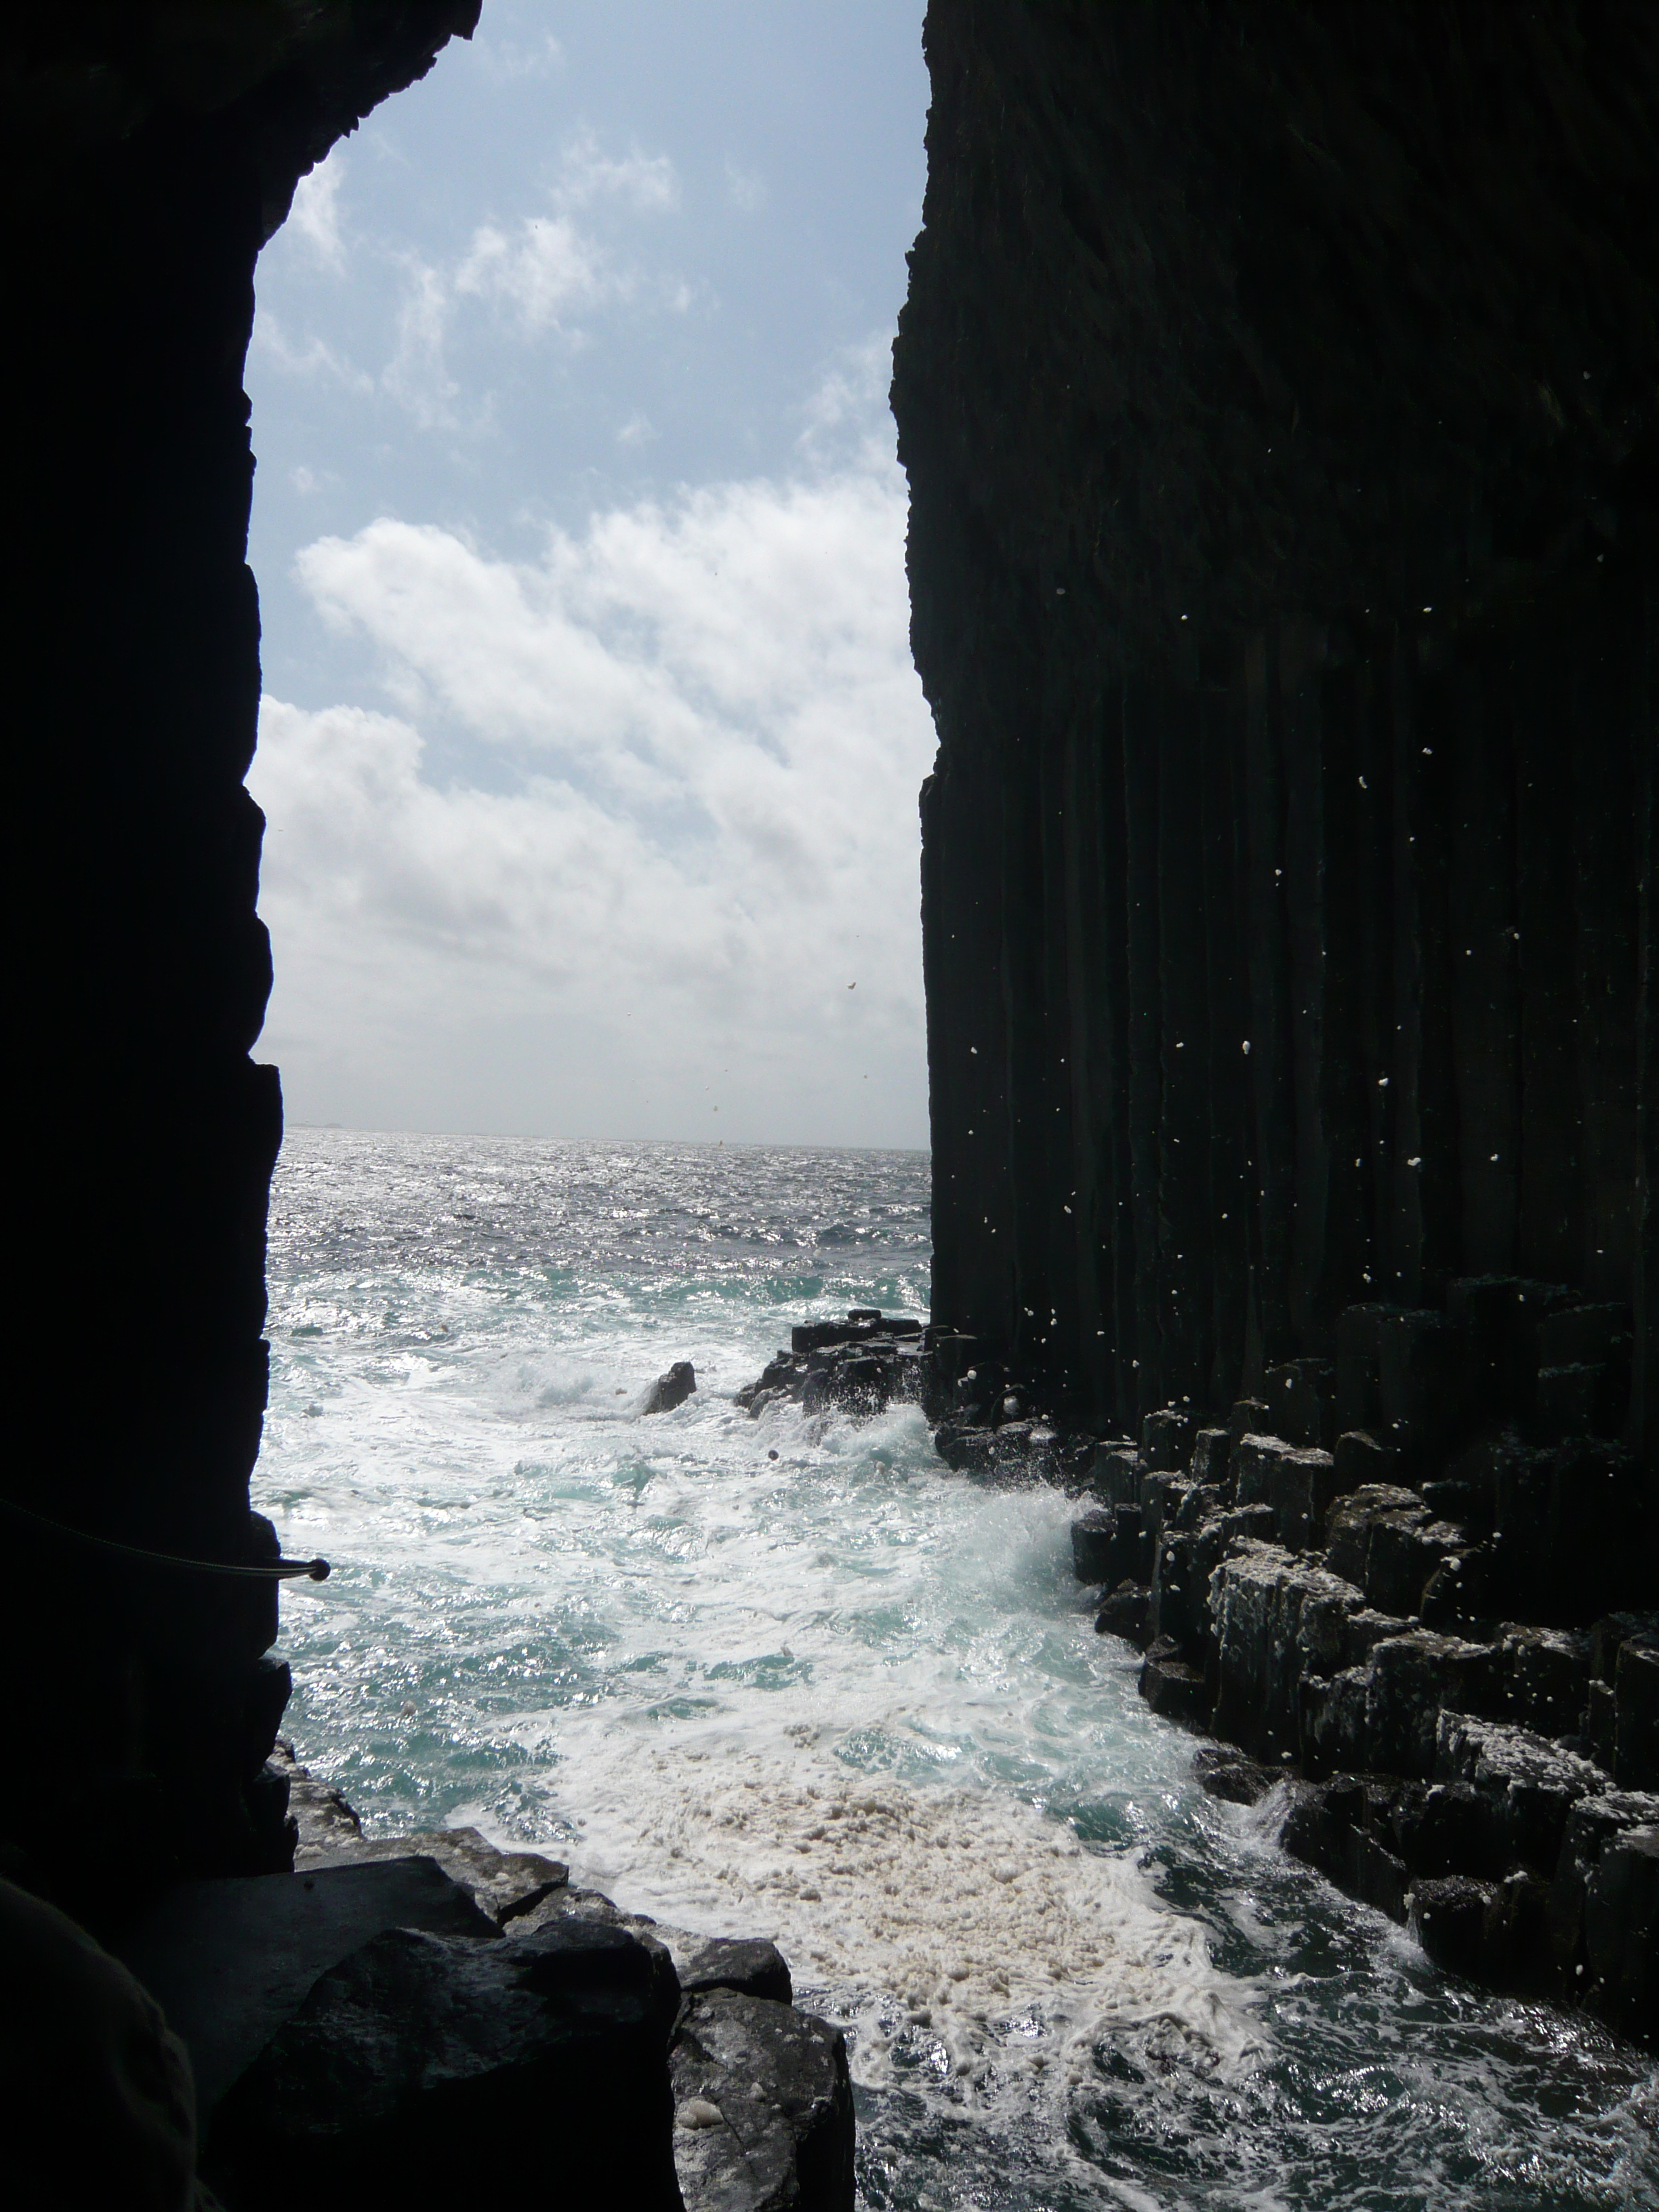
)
(152, 152)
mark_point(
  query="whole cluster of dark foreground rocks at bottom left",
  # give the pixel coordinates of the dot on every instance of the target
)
(432, 2018)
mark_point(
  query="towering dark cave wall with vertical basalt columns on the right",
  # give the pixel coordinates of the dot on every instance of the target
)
(1277, 395)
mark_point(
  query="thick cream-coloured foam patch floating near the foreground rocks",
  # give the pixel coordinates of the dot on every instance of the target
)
(963, 1912)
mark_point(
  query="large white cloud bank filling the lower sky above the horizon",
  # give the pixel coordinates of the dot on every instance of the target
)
(689, 828)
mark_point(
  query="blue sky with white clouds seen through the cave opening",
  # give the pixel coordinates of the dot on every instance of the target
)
(589, 738)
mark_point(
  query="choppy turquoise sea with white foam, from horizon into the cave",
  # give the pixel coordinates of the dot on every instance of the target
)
(791, 1678)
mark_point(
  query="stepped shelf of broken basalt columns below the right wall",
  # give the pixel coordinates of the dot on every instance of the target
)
(1412, 1587)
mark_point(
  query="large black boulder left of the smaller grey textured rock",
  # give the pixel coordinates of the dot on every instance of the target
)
(432, 2072)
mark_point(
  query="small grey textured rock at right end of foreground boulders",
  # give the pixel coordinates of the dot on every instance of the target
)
(762, 2109)
